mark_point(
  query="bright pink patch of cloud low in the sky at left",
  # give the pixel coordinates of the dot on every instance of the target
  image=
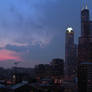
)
(8, 55)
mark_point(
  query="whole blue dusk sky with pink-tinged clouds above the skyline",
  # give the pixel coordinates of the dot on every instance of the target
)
(33, 31)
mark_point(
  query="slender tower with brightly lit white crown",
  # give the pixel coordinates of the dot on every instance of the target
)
(70, 52)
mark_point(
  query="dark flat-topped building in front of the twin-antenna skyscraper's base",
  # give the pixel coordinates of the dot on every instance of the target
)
(85, 83)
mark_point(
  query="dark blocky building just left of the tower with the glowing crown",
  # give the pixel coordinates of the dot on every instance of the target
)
(57, 70)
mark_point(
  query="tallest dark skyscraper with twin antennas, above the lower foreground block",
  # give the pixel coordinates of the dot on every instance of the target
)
(85, 40)
